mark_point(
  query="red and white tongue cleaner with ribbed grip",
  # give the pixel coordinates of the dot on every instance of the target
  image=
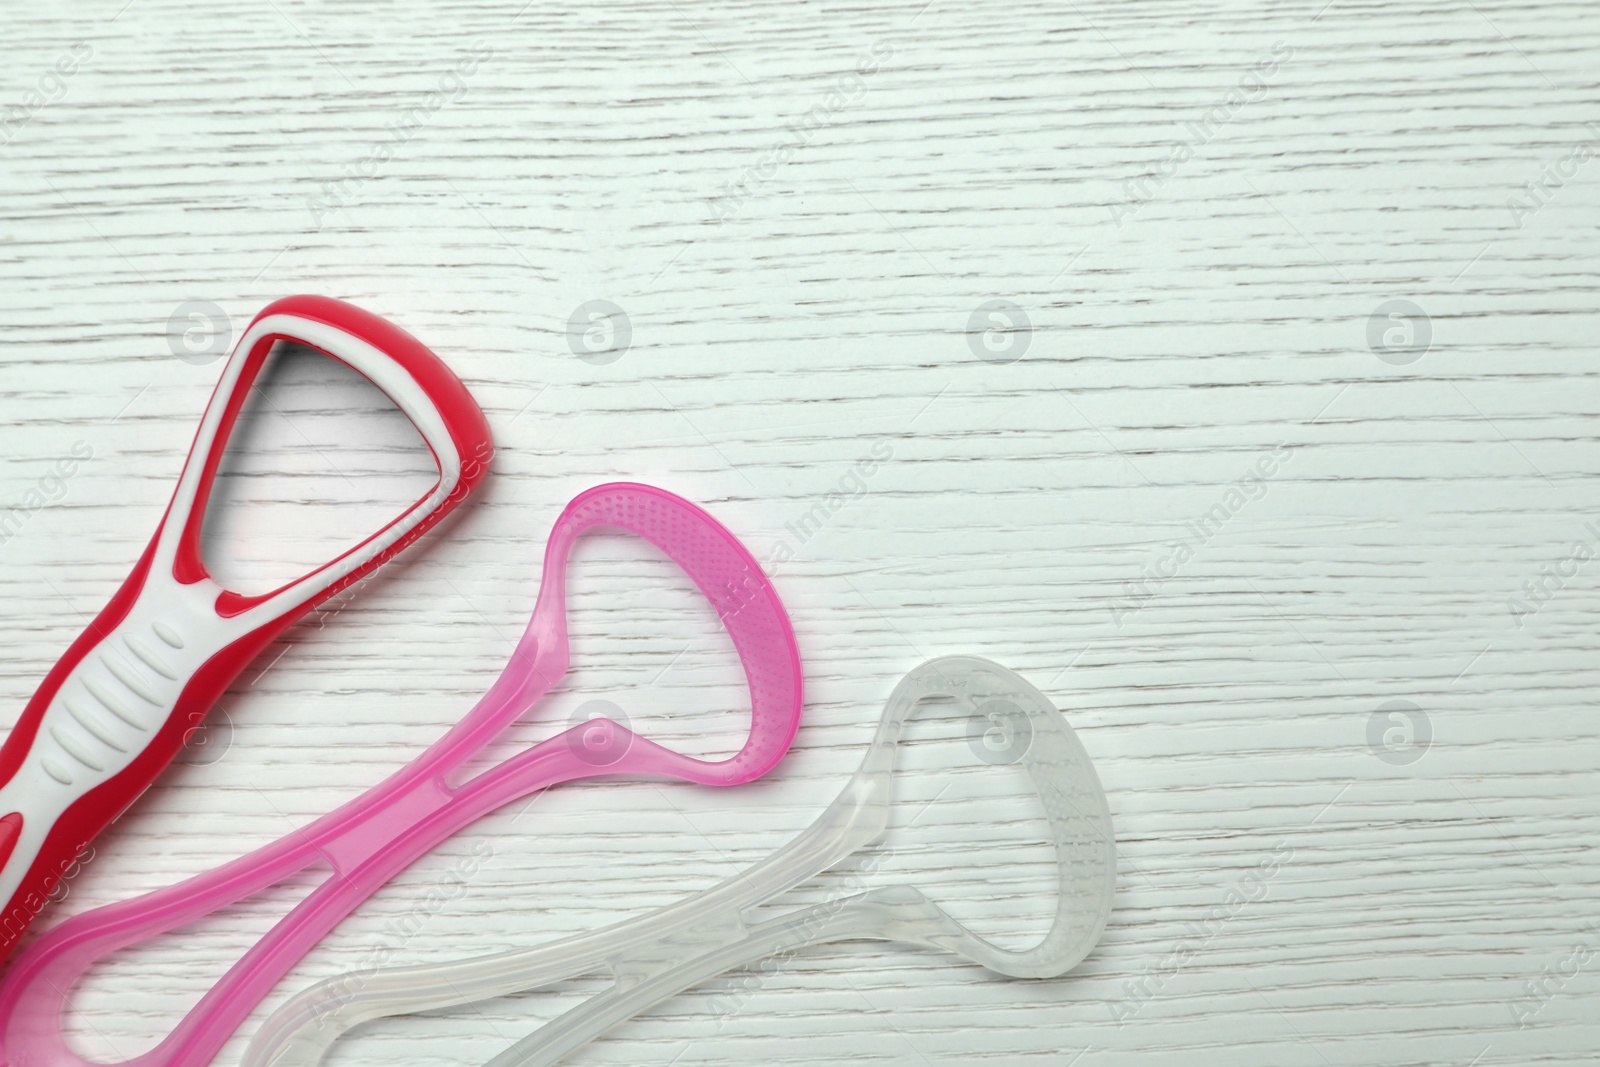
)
(119, 705)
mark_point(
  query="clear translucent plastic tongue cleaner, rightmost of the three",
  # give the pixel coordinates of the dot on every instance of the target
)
(732, 925)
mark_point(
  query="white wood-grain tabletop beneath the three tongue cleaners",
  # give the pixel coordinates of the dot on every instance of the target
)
(1225, 234)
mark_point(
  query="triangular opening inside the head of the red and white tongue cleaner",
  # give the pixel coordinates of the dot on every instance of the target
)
(318, 462)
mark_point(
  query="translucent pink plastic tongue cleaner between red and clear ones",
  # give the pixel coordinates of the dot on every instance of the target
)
(374, 837)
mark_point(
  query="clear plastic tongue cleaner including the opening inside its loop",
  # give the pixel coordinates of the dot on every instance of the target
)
(975, 826)
